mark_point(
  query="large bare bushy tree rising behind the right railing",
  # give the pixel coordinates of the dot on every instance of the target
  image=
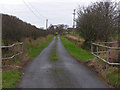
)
(97, 21)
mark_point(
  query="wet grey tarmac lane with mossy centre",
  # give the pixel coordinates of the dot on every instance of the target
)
(64, 73)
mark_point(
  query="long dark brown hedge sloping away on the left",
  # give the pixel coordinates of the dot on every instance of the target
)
(14, 30)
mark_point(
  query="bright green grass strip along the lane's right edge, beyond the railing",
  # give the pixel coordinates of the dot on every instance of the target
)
(75, 51)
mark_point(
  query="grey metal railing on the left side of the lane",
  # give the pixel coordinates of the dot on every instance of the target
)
(15, 51)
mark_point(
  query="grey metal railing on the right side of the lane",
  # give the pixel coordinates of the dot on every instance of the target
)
(107, 51)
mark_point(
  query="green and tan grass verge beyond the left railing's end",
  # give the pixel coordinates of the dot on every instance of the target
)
(40, 44)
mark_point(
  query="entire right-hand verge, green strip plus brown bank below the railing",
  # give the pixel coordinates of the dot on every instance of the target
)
(111, 76)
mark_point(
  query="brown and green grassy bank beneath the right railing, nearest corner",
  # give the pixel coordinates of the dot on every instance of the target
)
(111, 76)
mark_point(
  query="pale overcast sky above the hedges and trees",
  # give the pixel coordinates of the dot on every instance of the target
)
(37, 11)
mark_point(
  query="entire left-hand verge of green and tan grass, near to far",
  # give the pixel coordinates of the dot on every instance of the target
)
(32, 48)
